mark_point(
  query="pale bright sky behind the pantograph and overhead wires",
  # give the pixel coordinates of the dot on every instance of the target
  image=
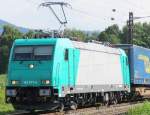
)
(93, 15)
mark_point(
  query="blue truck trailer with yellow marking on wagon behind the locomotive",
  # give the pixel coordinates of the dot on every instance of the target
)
(139, 66)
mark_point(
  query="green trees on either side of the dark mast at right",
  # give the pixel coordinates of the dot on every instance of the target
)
(141, 34)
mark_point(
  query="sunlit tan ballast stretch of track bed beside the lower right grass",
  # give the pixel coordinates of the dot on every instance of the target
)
(120, 109)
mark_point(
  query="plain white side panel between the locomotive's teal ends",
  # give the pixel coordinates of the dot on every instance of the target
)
(99, 68)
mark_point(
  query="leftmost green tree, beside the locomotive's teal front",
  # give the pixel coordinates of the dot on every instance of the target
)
(9, 34)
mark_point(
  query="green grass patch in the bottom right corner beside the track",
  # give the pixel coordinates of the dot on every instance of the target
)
(143, 109)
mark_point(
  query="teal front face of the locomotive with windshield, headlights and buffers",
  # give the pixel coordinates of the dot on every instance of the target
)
(30, 70)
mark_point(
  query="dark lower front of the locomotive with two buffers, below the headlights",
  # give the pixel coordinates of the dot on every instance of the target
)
(28, 94)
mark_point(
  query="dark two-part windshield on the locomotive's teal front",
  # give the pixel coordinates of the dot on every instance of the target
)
(33, 52)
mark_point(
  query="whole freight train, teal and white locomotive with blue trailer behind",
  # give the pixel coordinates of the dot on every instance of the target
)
(58, 71)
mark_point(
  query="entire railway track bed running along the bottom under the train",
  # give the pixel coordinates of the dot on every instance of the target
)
(119, 109)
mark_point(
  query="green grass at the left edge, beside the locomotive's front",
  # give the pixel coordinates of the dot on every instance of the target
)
(4, 108)
